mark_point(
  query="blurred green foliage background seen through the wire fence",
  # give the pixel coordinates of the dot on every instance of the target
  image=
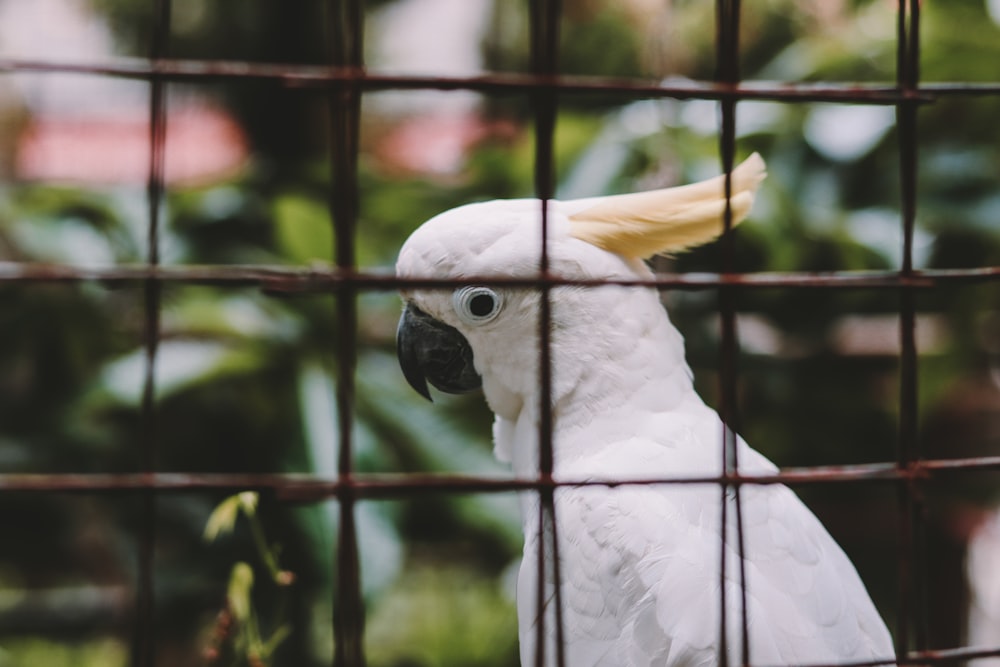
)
(246, 380)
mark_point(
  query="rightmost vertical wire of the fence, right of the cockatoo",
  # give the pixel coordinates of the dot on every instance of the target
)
(911, 626)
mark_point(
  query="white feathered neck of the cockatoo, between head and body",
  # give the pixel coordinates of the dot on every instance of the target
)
(624, 369)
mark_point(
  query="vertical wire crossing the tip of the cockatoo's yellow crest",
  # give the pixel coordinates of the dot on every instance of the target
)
(728, 71)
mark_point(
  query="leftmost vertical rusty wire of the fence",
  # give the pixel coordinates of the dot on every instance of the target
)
(143, 646)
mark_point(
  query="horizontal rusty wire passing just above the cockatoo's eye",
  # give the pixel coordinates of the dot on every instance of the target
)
(275, 278)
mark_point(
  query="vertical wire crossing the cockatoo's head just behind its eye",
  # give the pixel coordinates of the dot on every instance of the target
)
(544, 59)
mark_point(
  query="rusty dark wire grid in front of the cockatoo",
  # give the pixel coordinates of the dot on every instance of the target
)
(346, 80)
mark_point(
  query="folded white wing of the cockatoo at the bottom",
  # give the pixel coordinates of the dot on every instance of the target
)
(641, 586)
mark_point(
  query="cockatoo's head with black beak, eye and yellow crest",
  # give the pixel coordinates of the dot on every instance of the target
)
(476, 334)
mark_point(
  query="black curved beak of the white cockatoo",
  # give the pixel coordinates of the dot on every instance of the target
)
(431, 351)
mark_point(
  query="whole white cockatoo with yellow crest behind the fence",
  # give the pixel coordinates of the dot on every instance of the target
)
(639, 565)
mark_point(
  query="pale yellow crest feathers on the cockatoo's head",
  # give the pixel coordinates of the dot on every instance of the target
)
(644, 224)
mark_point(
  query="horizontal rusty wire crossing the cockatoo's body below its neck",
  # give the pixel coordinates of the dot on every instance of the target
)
(304, 487)
